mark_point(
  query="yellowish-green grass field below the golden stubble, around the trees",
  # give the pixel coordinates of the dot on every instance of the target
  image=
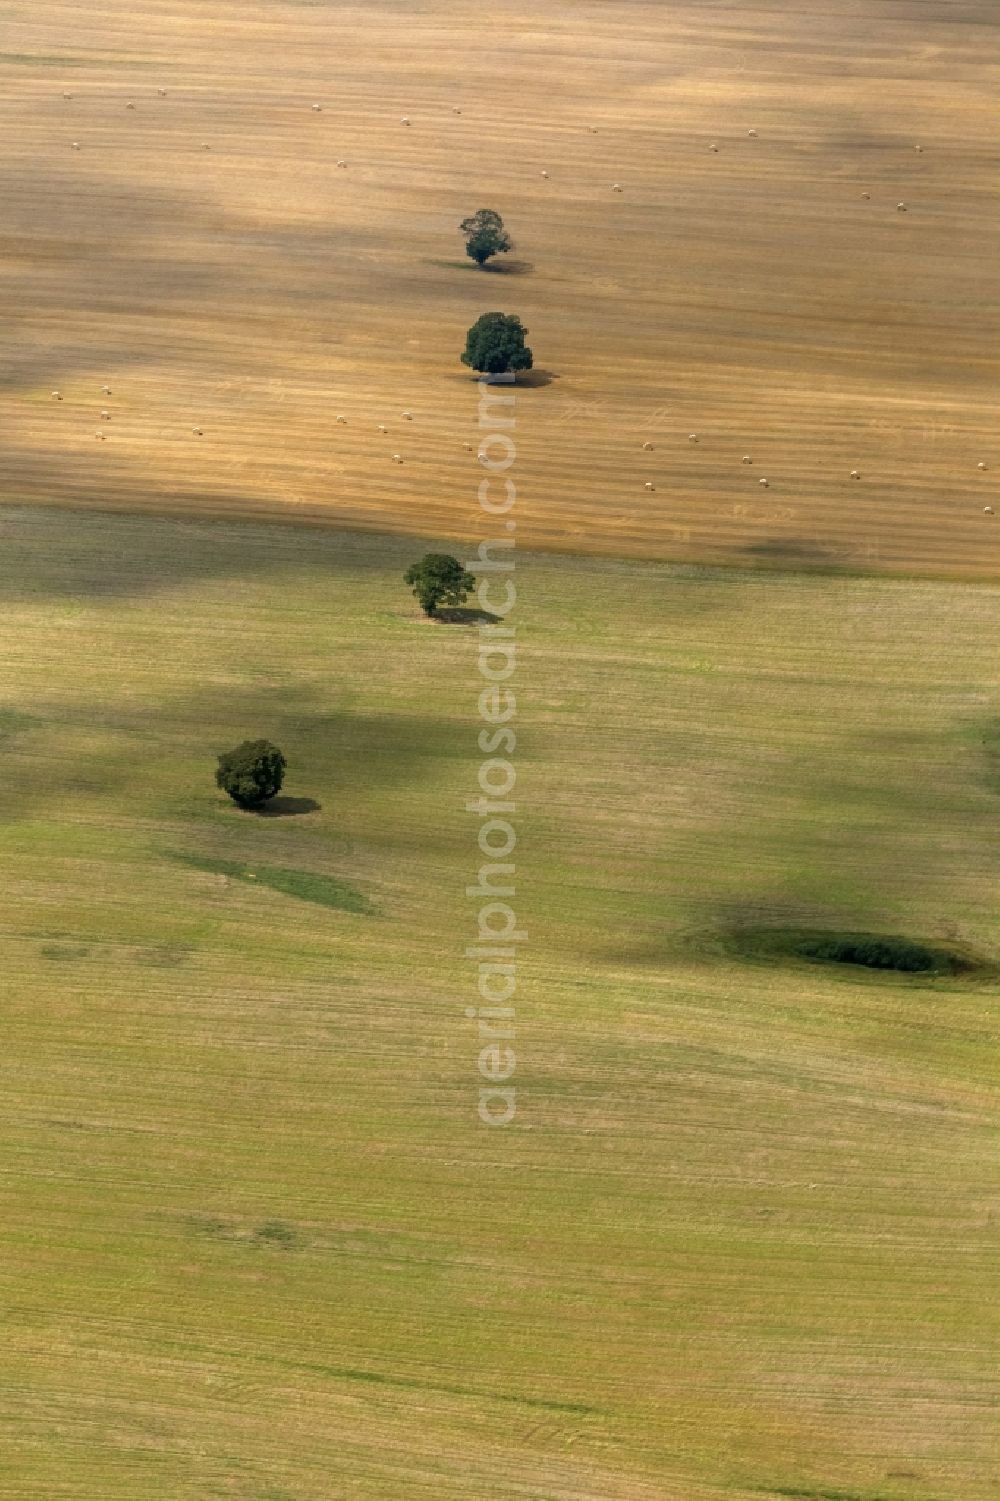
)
(256, 1244)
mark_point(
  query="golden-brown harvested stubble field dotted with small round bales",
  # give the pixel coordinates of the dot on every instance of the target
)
(203, 256)
